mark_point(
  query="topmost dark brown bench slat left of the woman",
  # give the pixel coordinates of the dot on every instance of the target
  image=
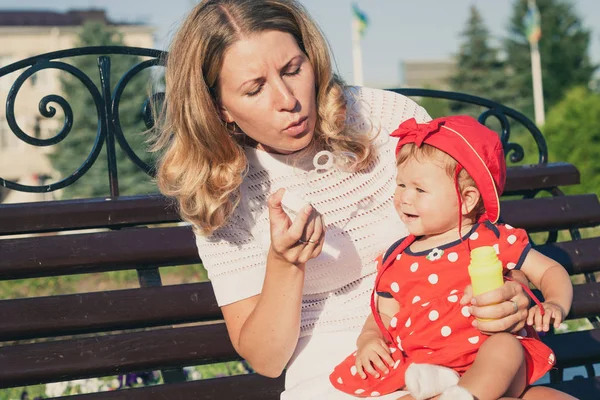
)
(64, 215)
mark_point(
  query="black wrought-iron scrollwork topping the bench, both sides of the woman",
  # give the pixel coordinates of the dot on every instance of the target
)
(110, 131)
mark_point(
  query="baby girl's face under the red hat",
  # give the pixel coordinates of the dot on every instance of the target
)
(425, 198)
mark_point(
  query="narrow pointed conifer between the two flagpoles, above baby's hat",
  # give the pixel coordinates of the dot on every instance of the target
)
(479, 70)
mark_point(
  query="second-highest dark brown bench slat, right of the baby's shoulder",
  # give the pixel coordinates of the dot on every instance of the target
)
(552, 213)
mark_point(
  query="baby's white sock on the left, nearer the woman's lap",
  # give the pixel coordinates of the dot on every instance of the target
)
(427, 380)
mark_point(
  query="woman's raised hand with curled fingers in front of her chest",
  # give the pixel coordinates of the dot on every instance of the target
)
(298, 241)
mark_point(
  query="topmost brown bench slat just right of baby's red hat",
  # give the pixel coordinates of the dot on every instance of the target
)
(524, 179)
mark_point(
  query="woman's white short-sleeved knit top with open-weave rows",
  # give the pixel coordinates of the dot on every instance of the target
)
(358, 212)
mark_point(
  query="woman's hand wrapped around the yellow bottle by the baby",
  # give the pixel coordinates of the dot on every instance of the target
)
(506, 307)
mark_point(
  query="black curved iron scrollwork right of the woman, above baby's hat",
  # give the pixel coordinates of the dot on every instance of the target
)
(514, 151)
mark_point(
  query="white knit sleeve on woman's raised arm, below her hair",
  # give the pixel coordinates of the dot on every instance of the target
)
(234, 260)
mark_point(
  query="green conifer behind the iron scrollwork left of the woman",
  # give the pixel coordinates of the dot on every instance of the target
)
(71, 153)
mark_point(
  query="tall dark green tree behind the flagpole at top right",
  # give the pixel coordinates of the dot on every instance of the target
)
(563, 48)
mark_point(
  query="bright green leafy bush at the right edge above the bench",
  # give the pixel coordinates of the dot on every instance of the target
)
(572, 133)
